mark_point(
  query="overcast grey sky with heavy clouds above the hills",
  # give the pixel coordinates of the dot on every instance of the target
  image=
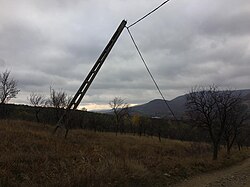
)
(185, 43)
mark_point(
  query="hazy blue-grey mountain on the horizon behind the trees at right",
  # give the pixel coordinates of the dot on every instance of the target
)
(158, 108)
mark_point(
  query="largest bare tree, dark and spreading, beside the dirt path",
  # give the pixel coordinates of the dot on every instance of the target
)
(212, 109)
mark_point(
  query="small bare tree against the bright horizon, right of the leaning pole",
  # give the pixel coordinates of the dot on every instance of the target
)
(120, 109)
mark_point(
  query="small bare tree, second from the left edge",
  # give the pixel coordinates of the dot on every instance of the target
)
(37, 101)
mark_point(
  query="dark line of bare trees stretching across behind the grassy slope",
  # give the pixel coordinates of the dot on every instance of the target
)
(212, 115)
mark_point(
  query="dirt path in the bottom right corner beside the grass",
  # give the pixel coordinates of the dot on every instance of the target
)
(235, 176)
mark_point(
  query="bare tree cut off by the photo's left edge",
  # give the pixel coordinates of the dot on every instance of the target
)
(8, 87)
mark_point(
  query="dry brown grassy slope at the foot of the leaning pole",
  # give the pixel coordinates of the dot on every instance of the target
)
(31, 156)
